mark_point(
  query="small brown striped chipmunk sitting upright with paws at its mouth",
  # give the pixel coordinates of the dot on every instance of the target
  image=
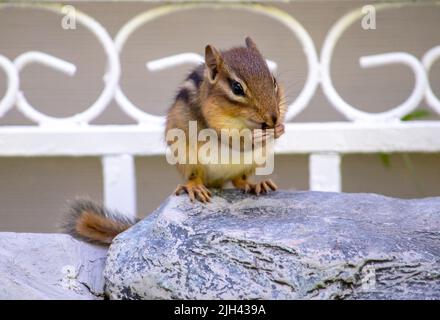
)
(234, 89)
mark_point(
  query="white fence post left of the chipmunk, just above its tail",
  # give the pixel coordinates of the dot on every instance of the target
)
(120, 183)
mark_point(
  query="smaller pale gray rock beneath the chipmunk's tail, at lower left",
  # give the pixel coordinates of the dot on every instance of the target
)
(49, 266)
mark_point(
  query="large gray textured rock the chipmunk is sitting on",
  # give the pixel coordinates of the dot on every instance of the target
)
(285, 245)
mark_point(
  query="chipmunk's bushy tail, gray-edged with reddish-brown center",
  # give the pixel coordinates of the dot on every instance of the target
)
(93, 223)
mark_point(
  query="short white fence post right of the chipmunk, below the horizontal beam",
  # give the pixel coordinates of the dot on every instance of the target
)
(325, 172)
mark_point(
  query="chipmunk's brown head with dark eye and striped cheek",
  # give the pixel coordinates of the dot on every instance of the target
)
(241, 91)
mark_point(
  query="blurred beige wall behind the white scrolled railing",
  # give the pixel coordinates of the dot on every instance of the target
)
(34, 192)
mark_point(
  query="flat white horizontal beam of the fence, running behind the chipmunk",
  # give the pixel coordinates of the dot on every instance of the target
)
(300, 138)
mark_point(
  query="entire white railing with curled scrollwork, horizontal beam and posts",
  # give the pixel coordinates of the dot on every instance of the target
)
(118, 144)
